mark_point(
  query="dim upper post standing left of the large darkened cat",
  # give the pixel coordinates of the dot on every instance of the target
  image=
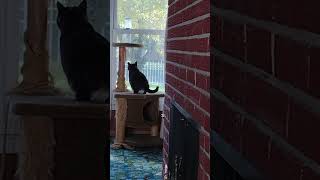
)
(35, 70)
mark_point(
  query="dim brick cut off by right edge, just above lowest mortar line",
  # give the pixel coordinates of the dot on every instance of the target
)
(303, 127)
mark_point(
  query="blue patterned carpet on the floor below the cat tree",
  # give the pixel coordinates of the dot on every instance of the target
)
(144, 164)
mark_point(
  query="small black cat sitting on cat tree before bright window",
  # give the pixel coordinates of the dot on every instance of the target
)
(138, 80)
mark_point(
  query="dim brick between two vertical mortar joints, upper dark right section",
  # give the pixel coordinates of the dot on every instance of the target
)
(259, 48)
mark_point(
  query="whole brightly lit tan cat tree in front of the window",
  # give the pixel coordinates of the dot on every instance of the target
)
(129, 108)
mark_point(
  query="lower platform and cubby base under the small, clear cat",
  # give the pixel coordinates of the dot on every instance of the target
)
(131, 116)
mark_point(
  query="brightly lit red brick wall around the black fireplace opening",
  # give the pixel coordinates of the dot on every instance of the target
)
(188, 70)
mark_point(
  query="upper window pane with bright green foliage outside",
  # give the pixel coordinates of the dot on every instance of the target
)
(142, 14)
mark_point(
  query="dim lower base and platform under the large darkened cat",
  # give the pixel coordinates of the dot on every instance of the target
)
(80, 136)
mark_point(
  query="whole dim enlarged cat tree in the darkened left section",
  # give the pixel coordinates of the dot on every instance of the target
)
(50, 121)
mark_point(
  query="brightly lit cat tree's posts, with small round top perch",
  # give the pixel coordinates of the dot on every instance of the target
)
(121, 103)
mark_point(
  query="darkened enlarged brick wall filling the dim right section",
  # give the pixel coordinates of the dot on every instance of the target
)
(280, 38)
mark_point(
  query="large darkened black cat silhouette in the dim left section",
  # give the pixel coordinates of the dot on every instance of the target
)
(85, 54)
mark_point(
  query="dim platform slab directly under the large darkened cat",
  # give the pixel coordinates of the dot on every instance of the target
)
(57, 107)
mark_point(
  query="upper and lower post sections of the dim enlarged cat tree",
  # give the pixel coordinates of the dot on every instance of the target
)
(36, 158)
